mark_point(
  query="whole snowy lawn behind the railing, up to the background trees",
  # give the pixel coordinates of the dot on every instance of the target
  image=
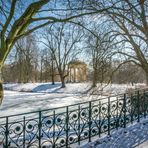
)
(20, 98)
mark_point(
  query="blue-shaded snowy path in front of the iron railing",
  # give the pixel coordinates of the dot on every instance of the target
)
(134, 136)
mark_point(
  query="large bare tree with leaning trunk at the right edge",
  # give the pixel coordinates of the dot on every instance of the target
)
(130, 20)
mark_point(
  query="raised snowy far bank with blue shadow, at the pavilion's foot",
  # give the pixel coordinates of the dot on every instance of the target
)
(71, 88)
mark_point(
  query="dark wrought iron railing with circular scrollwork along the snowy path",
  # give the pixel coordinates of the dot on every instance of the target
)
(62, 127)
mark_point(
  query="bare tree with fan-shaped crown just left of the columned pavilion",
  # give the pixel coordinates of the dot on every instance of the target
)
(61, 42)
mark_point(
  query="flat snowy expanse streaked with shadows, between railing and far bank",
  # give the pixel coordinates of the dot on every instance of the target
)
(20, 102)
